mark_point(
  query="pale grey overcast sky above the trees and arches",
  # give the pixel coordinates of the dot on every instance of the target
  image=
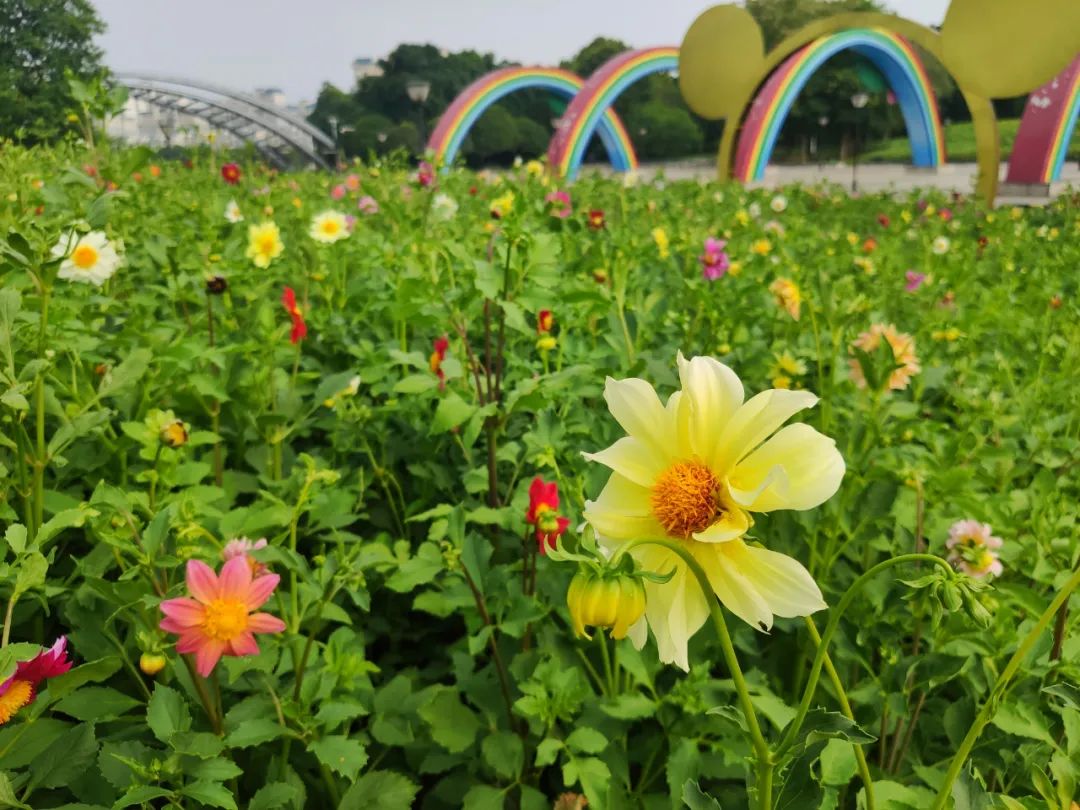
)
(299, 45)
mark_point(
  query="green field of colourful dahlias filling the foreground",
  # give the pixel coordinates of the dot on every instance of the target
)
(403, 489)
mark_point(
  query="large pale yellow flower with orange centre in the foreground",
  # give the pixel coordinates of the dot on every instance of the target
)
(694, 471)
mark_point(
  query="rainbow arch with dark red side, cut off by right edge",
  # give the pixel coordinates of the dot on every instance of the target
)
(1046, 129)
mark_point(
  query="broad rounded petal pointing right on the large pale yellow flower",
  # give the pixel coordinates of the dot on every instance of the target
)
(799, 468)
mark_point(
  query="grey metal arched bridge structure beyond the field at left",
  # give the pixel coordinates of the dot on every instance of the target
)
(273, 131)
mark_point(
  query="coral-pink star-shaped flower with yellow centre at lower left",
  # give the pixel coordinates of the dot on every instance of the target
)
(219, 620)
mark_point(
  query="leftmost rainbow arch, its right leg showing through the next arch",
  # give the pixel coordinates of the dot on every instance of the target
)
(460, 118)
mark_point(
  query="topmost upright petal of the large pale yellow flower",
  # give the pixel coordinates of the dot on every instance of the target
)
(712, 394)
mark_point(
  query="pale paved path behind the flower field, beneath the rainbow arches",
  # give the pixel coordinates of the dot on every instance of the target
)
(871, 178)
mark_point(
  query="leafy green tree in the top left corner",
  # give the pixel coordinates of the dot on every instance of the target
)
(39, 42)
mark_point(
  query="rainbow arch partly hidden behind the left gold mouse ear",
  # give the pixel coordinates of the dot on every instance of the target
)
(593, 103)
